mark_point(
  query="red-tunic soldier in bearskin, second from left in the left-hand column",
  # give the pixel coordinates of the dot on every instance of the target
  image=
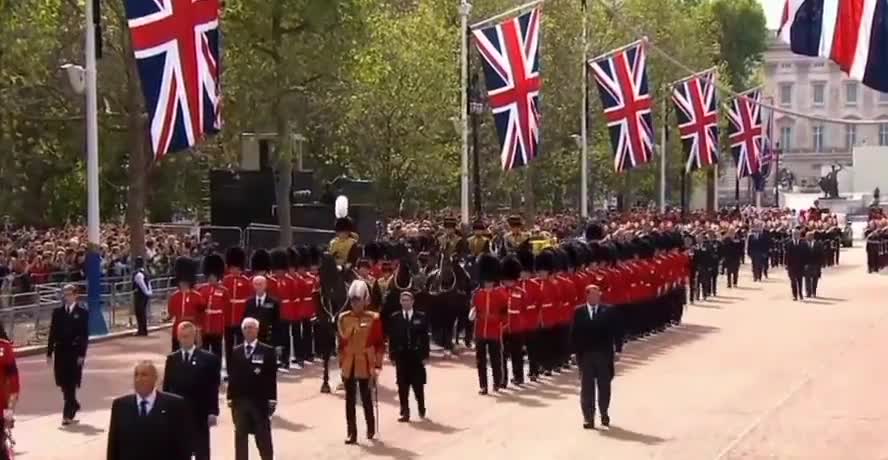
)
(218, 302)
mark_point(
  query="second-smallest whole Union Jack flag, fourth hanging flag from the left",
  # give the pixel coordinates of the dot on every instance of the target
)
(696, 104)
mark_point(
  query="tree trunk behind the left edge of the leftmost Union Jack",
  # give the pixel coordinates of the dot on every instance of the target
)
(140, 158)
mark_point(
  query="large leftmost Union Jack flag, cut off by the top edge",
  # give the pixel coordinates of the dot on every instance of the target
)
(176, 44)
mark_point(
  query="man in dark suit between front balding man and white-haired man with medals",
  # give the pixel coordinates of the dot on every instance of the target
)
(193, 373)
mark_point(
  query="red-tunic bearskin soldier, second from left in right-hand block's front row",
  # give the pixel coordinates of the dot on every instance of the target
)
(514, 337)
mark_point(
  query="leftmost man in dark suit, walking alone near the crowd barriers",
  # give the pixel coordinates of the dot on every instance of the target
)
(68, 339)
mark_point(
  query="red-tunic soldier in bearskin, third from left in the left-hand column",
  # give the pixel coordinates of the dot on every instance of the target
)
(239, 290)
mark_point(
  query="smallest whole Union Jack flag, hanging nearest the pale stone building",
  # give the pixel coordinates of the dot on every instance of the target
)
(745, 116)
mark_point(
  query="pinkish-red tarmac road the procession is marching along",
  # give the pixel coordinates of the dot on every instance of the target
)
(749, 375)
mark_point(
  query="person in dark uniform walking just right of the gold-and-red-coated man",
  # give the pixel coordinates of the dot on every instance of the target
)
(409, 350)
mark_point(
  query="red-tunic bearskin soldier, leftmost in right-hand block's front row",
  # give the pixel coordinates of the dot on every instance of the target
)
(490, 306)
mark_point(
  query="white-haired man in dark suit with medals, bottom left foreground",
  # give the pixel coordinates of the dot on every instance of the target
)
(252, 391)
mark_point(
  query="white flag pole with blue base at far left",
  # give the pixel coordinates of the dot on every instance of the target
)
(97, 324)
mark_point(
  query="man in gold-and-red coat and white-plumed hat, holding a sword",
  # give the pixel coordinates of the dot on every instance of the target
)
(361, 348)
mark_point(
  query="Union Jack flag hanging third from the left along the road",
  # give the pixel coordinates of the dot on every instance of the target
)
(622, 83)
